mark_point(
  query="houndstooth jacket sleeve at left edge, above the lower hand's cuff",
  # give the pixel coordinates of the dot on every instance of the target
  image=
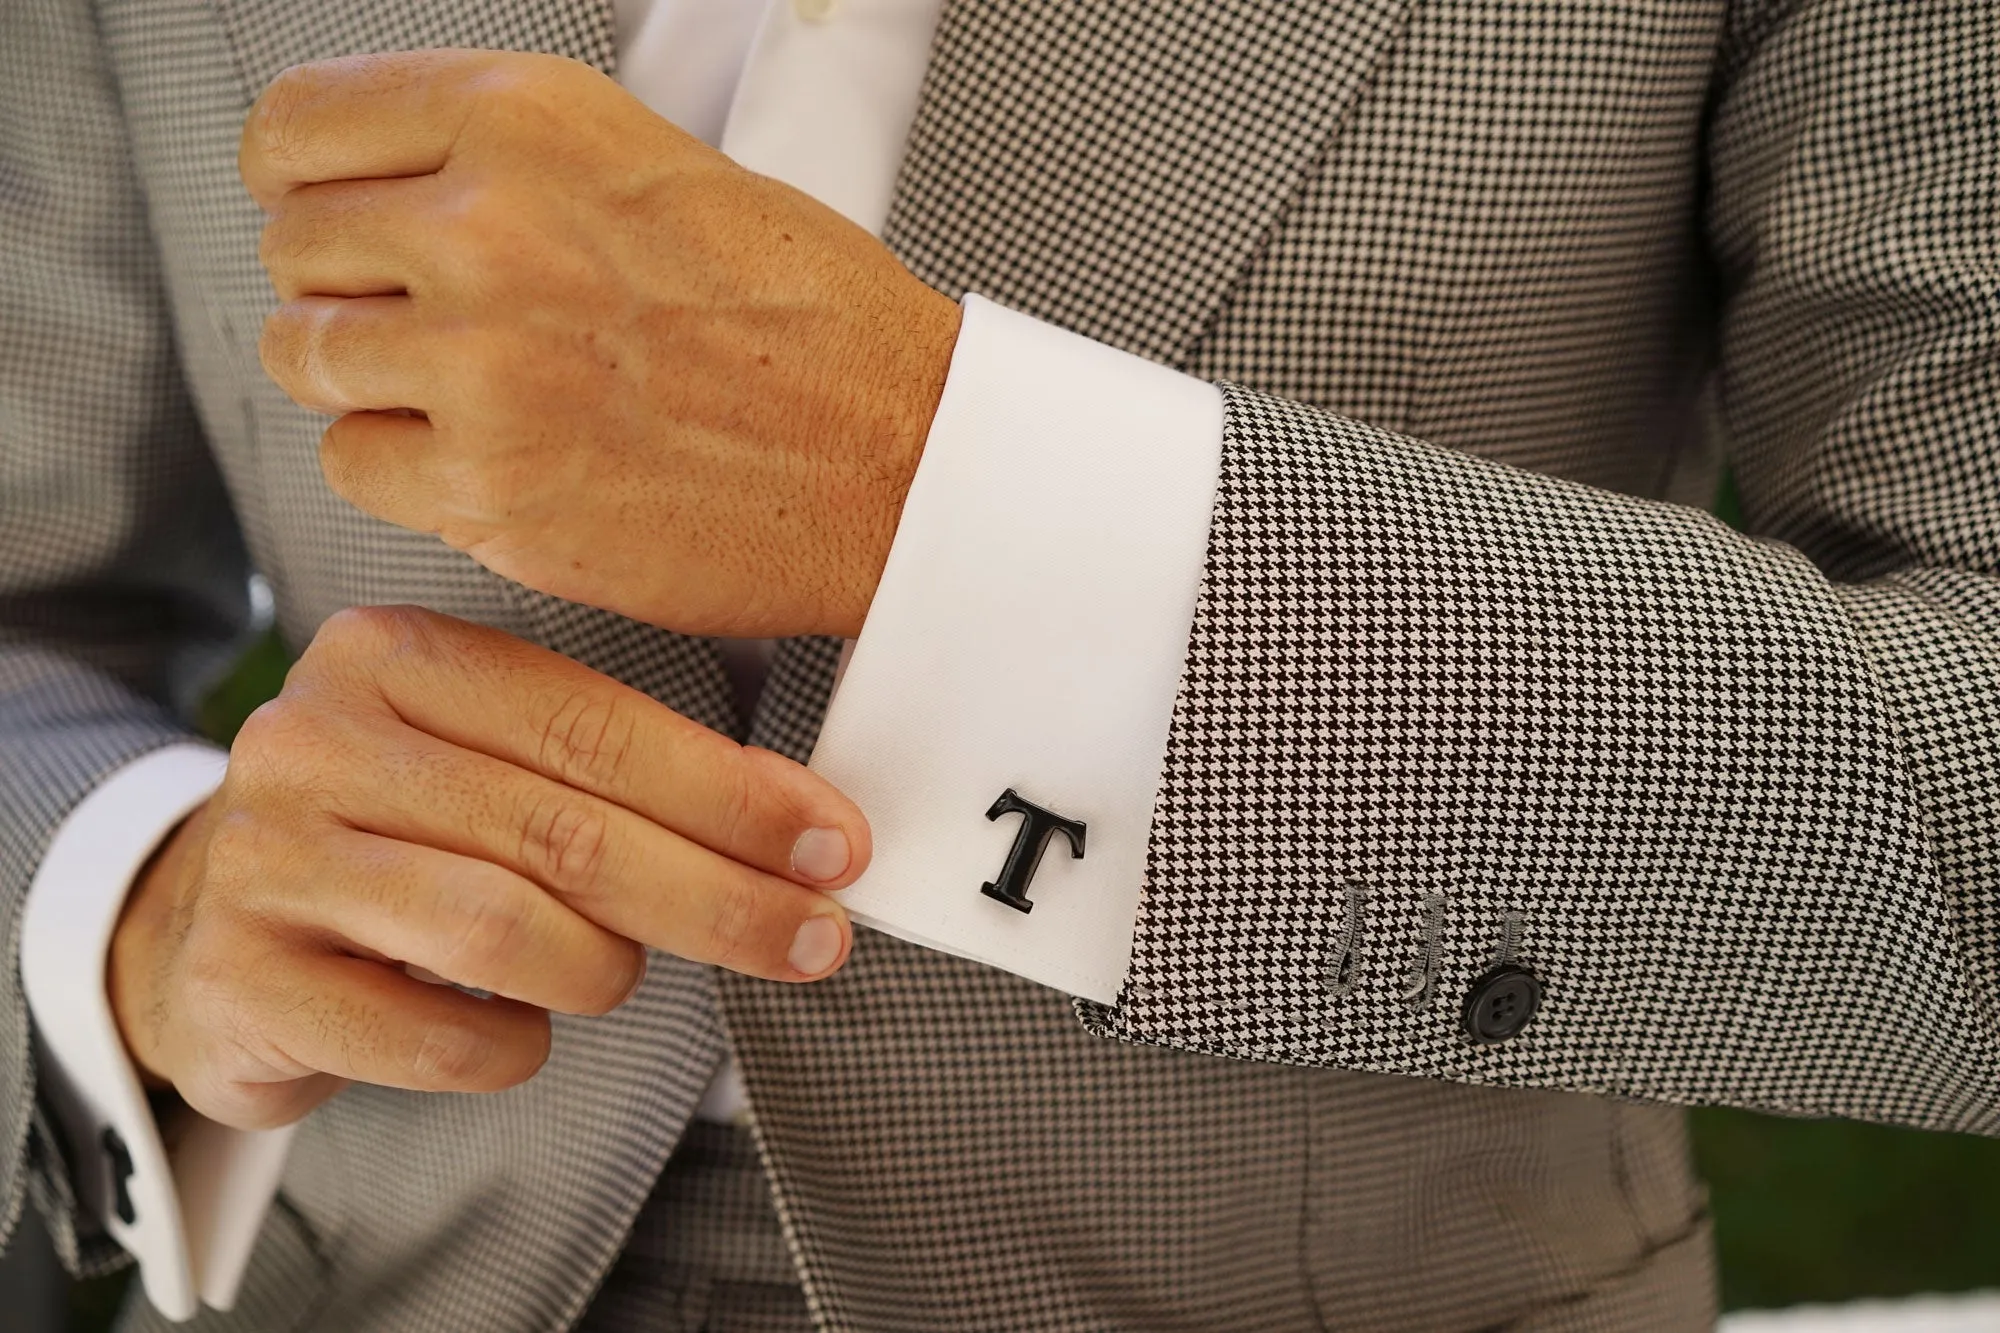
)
(121, 565)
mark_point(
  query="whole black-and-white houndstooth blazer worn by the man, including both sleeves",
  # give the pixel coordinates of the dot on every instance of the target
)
(1489, 281)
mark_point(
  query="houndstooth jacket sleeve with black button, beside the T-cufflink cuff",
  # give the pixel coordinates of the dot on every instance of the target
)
(1733, 800)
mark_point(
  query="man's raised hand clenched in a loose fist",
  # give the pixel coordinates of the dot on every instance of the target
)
(585, 349)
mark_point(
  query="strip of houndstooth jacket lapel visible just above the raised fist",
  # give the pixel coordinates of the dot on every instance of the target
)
(271, 35)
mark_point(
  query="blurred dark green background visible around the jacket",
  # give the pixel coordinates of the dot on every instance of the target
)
(1805, 1210)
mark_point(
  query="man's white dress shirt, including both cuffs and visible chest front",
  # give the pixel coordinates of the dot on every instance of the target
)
(1027, 635)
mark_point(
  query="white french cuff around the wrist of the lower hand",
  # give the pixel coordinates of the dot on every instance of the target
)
(191, 1214)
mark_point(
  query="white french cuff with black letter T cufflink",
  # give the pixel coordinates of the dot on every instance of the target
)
(1005, 712)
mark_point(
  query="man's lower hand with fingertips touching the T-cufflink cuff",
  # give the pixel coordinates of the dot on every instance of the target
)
(441, 796)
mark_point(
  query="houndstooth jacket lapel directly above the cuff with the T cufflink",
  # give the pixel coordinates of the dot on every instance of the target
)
(1111, 165)
